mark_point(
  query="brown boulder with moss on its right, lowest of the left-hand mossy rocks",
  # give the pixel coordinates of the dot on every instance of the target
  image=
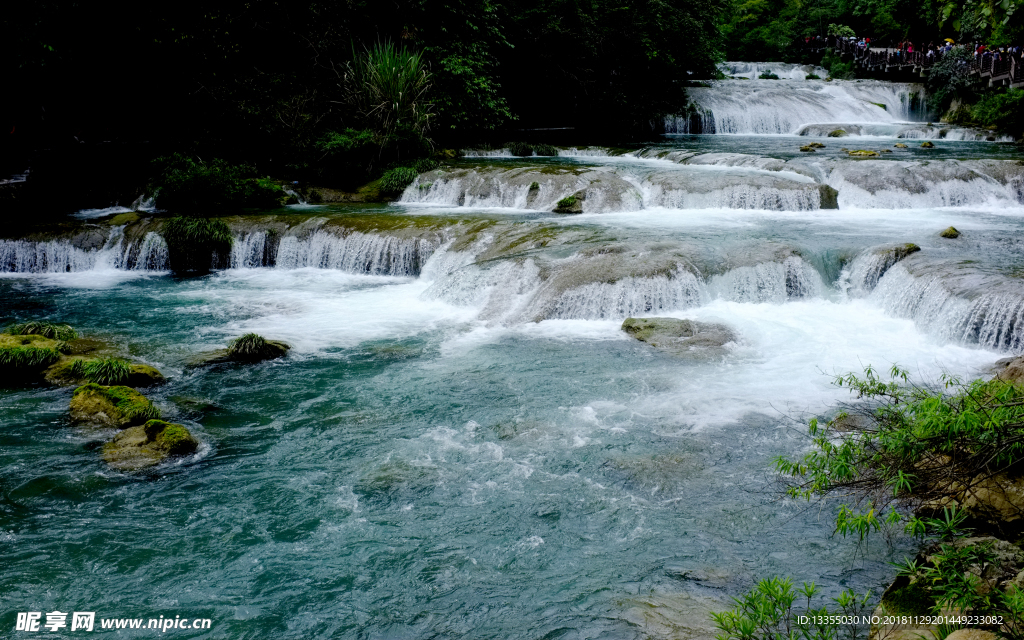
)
(142, 447)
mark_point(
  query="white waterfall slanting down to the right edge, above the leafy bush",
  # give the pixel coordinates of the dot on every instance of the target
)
(994, 320)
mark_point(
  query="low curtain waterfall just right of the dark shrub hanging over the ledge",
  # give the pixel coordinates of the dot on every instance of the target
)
(356, 253)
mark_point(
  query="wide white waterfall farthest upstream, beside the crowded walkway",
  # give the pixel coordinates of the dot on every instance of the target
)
(783, 108)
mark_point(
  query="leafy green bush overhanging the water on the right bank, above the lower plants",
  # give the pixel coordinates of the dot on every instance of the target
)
(917, 446)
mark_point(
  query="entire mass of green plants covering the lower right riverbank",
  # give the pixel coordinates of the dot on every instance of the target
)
(927, 462)
